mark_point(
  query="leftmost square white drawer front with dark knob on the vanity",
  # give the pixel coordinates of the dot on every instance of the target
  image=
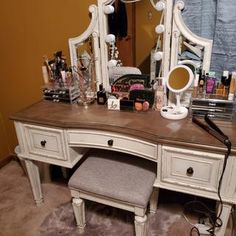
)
(45, 141)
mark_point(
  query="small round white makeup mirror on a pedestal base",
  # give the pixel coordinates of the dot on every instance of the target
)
(178, 80)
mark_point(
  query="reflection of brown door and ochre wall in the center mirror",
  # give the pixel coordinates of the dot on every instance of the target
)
(133, 25)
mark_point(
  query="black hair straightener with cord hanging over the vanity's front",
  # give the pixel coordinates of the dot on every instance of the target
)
(217, 133)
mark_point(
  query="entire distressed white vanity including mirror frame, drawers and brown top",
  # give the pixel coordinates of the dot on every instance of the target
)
(188, 159)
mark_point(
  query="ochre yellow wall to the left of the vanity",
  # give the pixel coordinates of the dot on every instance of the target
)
(29, 30)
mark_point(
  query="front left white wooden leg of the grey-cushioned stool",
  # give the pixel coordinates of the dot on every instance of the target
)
(79, 212)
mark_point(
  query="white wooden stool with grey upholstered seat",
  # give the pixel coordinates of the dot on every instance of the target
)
(115, 179)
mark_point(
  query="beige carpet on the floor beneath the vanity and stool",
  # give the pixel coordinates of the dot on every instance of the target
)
(20, 216)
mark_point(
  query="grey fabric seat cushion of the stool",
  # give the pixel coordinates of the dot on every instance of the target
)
(116, 175)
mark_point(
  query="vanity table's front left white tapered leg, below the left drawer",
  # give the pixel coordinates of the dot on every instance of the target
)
(33, 174)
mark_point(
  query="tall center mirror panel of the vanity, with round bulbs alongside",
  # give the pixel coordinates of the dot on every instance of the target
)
(135, 39)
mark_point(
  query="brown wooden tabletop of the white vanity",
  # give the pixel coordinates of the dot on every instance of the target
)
(149, 126)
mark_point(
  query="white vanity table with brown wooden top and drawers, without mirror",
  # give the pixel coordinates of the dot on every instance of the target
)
(174, 146)
